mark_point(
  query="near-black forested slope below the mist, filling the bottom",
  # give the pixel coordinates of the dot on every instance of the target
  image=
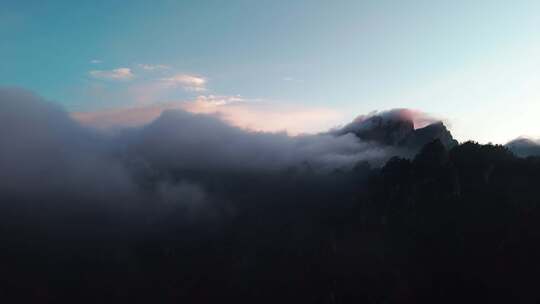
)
(458, 225)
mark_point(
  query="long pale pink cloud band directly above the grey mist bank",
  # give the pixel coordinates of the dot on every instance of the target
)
(252, 115)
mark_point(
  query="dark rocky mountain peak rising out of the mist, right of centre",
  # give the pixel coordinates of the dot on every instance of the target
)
(398, 131)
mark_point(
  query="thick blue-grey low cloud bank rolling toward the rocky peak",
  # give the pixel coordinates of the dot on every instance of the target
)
(181, 159)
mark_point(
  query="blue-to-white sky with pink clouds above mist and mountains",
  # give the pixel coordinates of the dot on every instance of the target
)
(299, 66)
